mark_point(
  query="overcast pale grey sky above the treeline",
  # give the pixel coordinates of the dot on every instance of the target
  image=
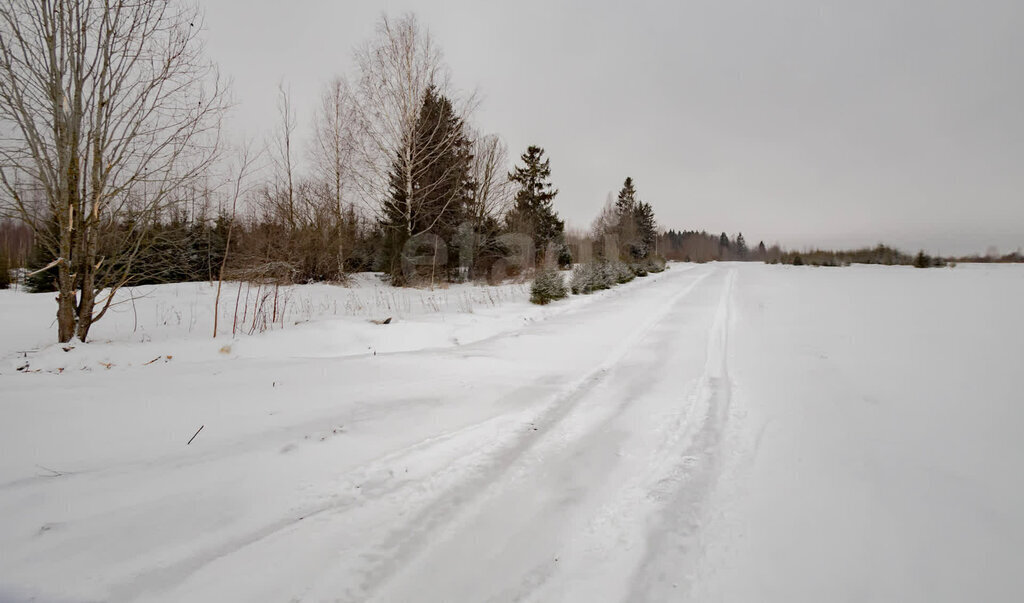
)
(807, 123)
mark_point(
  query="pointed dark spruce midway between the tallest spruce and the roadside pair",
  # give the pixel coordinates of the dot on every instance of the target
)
(534, 212)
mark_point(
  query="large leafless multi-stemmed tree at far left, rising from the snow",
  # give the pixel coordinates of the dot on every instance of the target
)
(108, 109)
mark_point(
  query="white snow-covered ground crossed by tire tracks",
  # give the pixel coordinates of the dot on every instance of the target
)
(718, 433)
